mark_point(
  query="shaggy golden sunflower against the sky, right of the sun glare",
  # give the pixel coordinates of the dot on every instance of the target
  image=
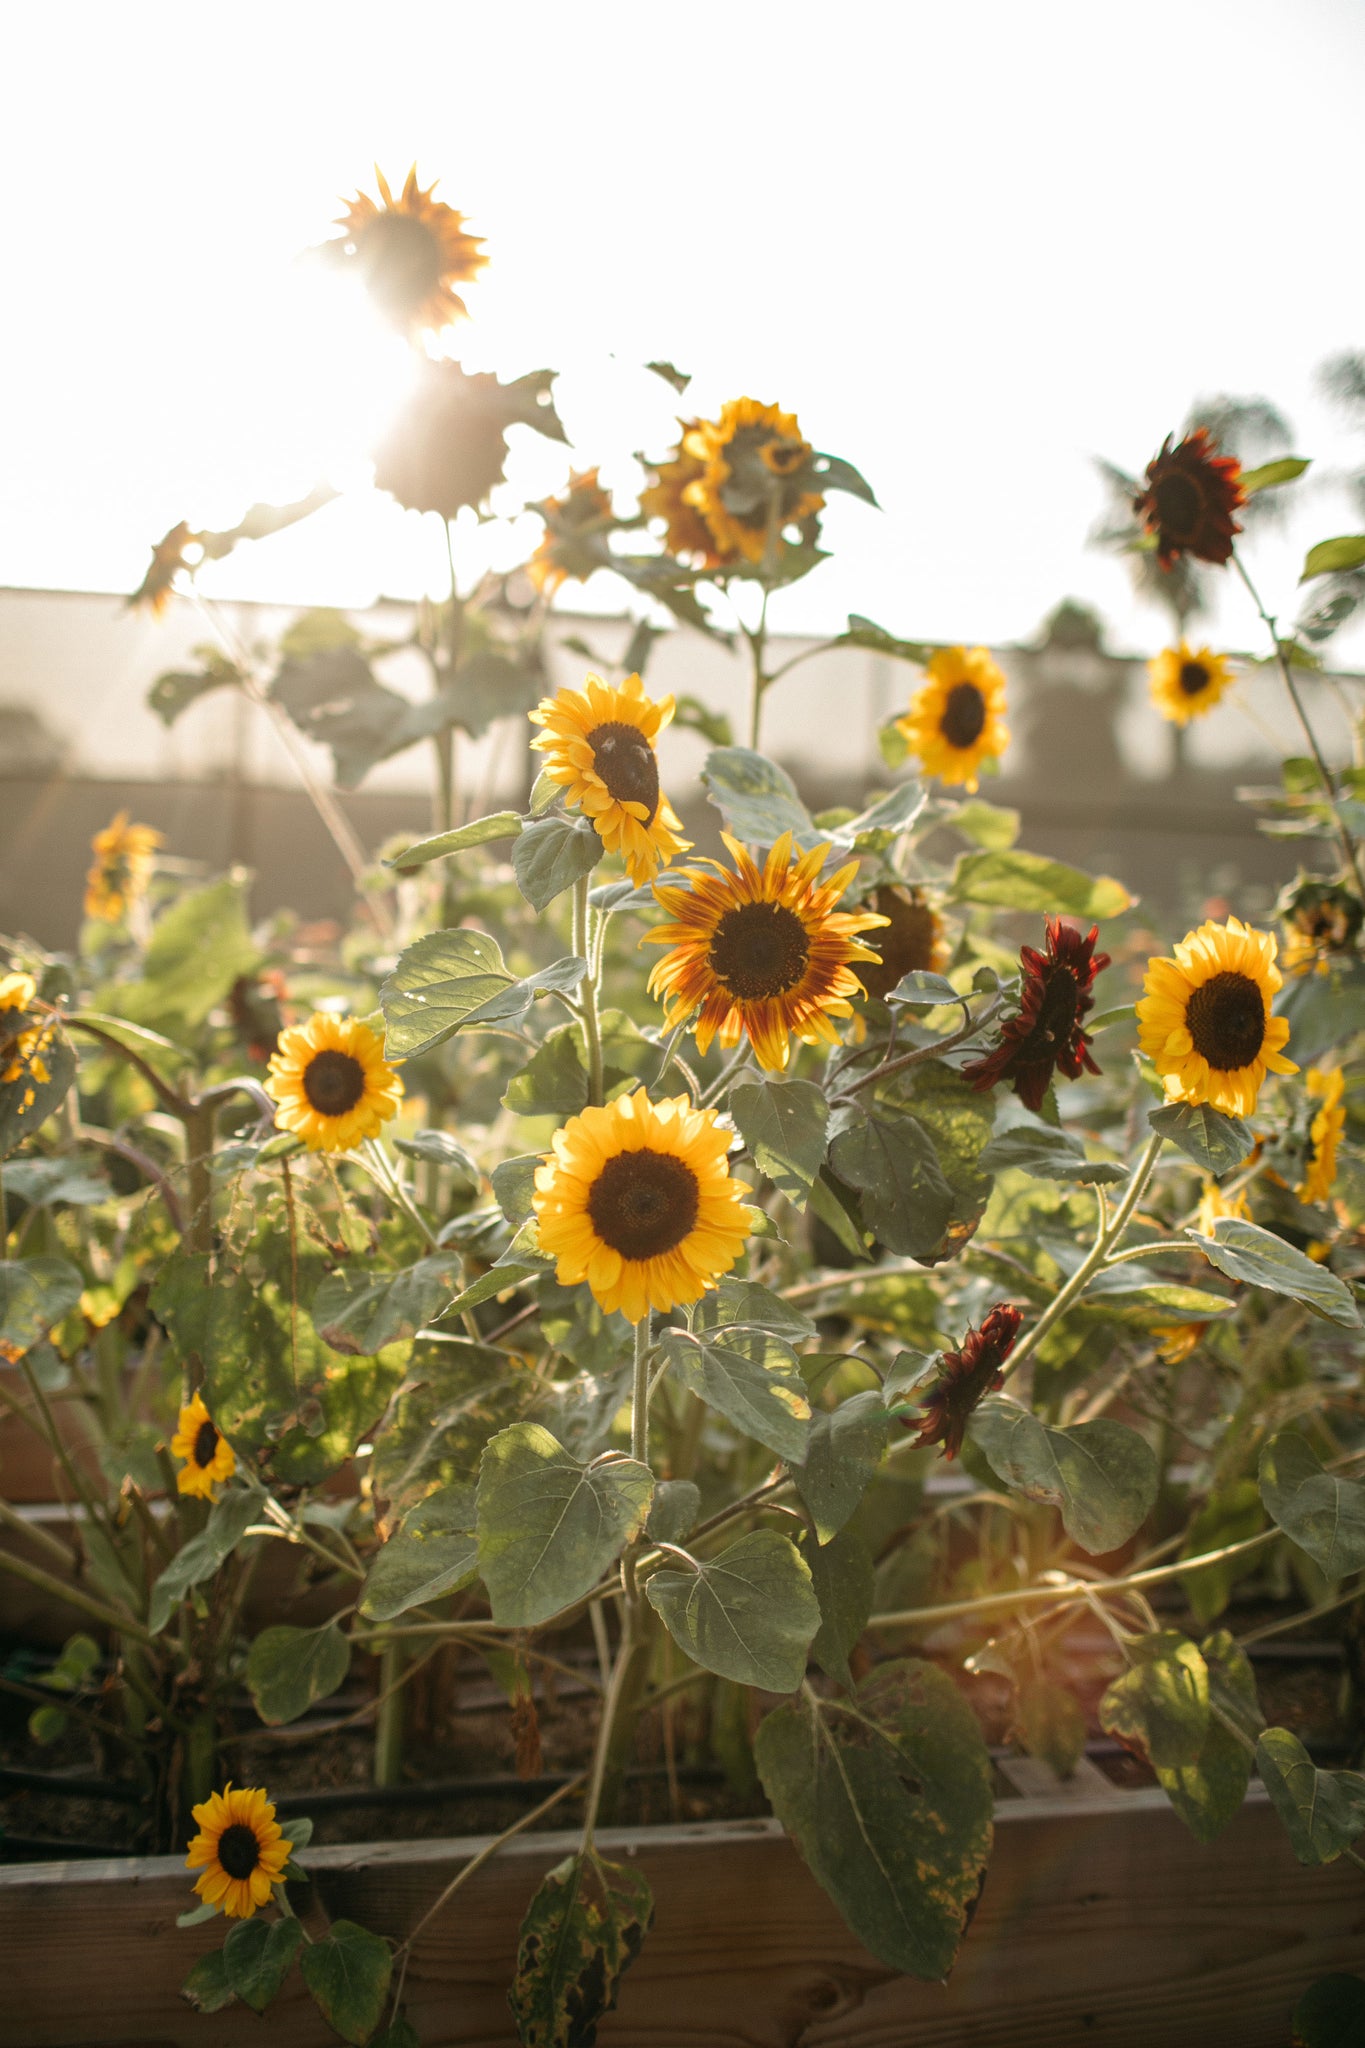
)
(756, 476)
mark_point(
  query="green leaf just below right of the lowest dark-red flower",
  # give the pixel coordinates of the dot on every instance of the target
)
(1100, 1474)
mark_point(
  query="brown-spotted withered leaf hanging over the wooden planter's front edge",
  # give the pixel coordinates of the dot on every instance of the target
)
(580, 1936)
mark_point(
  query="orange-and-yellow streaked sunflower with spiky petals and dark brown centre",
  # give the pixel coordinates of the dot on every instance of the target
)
(760, 951)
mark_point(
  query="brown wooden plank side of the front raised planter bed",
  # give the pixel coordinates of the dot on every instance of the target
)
(1102, 1922)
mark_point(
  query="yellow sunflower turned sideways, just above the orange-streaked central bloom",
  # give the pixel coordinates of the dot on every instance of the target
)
(599, 742)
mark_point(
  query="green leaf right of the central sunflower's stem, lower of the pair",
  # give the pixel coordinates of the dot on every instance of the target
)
(746, 1615)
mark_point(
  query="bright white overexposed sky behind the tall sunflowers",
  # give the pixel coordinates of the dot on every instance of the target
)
(969, 245)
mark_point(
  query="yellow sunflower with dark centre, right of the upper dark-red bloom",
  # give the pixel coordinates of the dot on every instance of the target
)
(1206, 1021)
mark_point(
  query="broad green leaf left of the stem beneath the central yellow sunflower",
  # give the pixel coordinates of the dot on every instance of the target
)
(552, 1527)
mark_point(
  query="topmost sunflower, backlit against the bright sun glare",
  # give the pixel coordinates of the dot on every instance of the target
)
(410, 253)
